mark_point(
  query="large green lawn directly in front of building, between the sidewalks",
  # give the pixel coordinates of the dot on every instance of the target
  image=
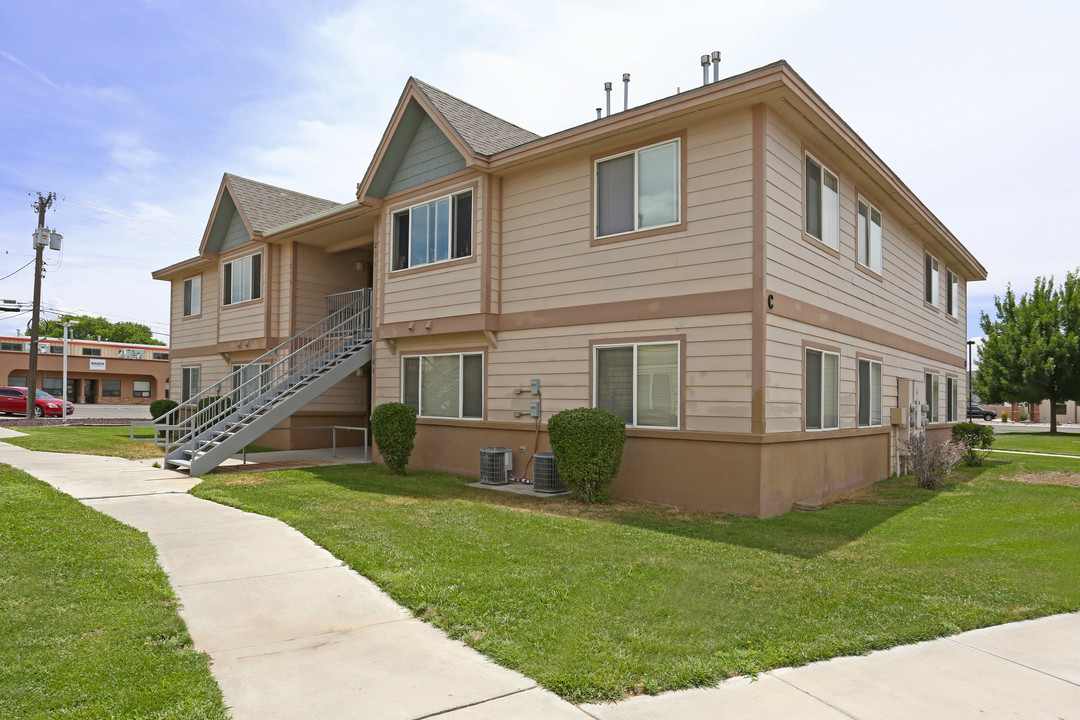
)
(599, 603)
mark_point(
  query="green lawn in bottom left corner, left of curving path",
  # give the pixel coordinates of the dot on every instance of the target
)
(89, 627)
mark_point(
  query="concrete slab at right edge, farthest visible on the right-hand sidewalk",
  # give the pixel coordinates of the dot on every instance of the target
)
(1050, 645)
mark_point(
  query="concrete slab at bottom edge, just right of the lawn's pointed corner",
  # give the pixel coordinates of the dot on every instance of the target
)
(765, 699)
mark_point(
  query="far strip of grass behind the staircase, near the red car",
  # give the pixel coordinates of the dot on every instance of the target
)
(97, 440)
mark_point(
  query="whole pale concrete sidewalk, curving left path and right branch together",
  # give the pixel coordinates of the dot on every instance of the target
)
(294, 634)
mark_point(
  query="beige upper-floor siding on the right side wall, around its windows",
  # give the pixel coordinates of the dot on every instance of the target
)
(803, 269)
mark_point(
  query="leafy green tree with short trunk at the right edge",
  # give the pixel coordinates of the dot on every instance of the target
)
(1032, 351)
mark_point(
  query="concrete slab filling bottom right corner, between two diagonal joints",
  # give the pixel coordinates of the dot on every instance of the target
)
(939, 680)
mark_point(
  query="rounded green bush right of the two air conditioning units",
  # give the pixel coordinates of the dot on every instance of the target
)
(588, 446)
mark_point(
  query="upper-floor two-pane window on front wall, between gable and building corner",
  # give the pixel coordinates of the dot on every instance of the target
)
(639, 191)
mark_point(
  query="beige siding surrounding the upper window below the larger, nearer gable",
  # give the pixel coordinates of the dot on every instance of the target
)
(439, 290)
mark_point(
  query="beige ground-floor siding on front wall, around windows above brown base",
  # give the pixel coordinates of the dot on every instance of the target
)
(718, 368)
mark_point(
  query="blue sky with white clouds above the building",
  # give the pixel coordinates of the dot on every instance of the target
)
(131, 112)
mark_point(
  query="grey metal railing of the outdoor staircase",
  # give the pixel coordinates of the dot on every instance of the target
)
(242, 395)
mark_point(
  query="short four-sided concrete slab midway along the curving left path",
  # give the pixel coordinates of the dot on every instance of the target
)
(255, 612)
